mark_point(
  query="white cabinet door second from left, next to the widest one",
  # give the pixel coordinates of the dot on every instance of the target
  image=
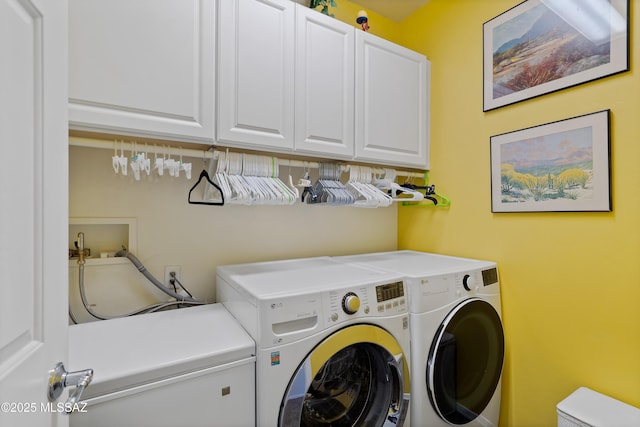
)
(255, 73)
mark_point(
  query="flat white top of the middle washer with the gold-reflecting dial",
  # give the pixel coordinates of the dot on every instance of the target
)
(274, 279)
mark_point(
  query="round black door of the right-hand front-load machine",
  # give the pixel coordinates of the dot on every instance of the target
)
(465, 361)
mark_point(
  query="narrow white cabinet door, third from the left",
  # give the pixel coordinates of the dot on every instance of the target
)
(324, 90)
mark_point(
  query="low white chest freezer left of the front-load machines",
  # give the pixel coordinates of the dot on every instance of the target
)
(188, 367)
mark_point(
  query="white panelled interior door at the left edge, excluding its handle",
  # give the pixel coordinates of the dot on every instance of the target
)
(34, 207)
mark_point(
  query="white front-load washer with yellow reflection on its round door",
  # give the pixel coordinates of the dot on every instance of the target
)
(332, 341)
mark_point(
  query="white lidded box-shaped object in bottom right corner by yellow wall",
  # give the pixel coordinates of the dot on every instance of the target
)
(588, 408)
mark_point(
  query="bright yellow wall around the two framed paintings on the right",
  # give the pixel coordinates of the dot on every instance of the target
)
(570, 281)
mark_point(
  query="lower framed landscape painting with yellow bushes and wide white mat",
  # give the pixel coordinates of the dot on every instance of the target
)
(562, 166)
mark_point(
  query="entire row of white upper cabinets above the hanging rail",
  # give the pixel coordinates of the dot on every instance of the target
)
(268, 75)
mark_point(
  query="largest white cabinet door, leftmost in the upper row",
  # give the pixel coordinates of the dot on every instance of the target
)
(143, 67)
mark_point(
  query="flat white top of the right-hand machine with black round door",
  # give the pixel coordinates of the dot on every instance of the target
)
(417, 264)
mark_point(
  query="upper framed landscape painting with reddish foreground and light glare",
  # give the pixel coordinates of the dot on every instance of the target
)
(541, 46)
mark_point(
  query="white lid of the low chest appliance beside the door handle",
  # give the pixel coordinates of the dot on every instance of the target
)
(130, 351)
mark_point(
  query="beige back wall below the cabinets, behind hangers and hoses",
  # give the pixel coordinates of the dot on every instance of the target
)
(197, 238)
